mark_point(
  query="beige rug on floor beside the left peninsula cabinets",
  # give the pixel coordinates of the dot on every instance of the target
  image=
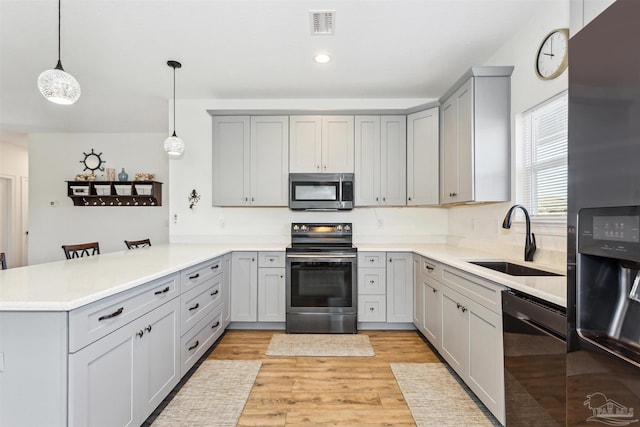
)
(214, 395)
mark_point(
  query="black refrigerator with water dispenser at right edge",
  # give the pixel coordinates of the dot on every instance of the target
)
(603, 245)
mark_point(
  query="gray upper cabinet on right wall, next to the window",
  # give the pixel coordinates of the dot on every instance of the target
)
(475, 155)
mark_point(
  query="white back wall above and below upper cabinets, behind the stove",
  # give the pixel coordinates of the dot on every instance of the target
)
(208, 223)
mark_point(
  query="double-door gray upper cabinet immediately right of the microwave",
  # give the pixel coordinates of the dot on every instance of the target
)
(380, 160)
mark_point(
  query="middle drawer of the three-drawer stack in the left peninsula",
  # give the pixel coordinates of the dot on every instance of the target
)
(199, 301)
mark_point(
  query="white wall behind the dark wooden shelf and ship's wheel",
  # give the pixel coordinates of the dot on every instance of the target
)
(55, 158)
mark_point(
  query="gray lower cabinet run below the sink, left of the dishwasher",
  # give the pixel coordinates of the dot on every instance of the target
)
(460, 314)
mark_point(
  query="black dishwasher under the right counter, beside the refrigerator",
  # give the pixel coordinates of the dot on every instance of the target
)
(534, 337)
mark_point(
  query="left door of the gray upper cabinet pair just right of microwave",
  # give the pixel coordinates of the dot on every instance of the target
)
(367, 160)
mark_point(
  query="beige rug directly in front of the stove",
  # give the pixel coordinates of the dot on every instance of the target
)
(320, 345)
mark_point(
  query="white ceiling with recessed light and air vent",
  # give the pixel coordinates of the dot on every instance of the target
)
(117, 49)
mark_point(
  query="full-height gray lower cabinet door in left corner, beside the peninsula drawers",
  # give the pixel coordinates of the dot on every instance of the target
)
(244, 287)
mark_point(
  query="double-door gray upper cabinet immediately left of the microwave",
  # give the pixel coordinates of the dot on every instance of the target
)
(250, 160)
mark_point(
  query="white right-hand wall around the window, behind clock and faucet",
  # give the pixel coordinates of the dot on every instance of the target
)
(479, 226)
